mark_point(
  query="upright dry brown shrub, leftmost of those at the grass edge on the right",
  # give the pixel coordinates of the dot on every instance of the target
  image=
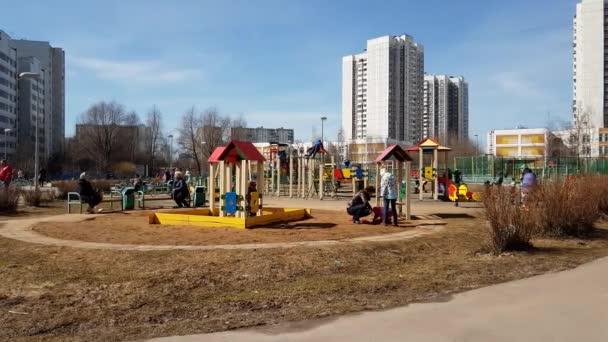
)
(510, 226)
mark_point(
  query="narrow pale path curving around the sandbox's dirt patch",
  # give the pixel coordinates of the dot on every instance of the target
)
(22, 230)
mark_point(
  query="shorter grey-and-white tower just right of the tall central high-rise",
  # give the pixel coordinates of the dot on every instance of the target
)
(445, 115)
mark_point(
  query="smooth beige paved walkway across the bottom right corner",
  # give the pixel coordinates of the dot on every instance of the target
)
(565, 306)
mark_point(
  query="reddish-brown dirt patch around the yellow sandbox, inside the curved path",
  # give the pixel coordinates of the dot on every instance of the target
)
(133, 228)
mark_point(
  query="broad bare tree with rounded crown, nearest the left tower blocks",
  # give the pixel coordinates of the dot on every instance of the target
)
(100, 126)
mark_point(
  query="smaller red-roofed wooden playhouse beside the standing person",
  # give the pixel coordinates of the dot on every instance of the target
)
(394, 158)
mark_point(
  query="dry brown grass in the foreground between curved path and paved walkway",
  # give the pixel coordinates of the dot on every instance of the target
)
(96, 295)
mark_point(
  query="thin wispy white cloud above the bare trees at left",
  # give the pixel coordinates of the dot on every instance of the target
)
(143, 71)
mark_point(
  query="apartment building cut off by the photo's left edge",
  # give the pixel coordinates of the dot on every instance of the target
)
(8, 97)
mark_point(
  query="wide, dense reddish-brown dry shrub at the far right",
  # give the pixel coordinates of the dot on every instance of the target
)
(566, 207)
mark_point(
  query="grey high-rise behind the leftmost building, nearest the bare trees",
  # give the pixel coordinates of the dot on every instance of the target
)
(49, 99)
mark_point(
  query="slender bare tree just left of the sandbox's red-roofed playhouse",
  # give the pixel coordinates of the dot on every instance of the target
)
(190, 139)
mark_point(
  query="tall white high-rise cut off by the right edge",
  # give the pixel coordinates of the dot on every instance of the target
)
(590, 67)
